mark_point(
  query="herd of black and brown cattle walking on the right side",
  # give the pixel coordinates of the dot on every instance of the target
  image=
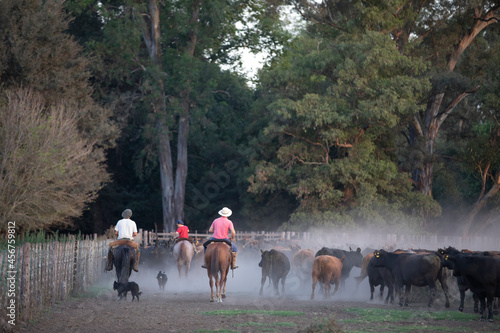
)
(398, 270)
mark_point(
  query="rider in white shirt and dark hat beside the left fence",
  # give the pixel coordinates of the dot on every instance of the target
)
(126, 230)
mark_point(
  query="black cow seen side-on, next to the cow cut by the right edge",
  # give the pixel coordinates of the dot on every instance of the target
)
(413, 269)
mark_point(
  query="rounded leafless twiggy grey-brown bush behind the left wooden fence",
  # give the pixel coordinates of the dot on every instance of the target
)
(48, 170)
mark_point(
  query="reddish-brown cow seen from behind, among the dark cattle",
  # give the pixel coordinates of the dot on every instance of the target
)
(327, 270)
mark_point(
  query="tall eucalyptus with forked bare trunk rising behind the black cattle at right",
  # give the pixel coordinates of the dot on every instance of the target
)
(444, 33)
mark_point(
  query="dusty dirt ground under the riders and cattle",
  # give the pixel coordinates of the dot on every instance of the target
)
(183, 307)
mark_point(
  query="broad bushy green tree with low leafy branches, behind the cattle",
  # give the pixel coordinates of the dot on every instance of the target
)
(336, 104)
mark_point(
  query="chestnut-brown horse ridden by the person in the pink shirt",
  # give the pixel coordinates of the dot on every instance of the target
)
(218, 261)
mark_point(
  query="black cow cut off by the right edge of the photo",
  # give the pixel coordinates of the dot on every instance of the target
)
(482, 273)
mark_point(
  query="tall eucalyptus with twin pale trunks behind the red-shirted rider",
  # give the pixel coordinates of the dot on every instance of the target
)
(170, 55)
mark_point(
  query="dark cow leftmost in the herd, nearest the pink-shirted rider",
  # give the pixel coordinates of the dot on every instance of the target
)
(275, 265)
